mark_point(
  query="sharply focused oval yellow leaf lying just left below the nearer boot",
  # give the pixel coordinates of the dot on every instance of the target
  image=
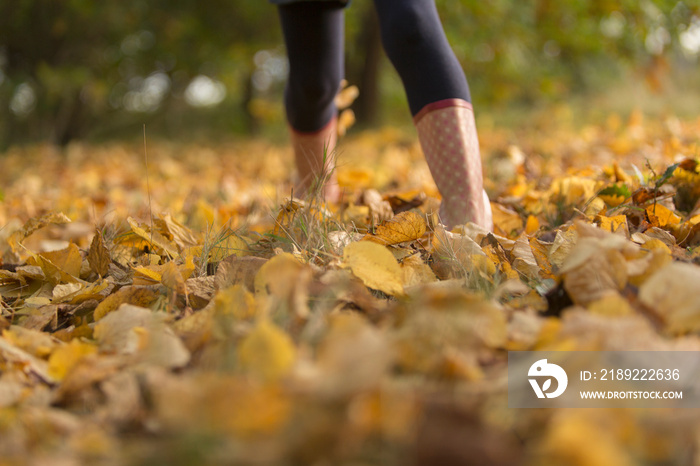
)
(375, 266)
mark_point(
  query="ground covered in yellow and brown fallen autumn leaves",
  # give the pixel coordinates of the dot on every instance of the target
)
(176, 309)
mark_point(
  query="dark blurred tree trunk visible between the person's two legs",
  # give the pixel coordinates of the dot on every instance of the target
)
(366, 75)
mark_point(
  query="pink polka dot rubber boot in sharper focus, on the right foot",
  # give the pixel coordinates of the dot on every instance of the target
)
(447, 134)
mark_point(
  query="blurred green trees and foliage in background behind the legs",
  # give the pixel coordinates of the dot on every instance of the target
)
(79, 68)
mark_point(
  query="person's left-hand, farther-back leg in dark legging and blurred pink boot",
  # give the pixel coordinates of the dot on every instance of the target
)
(313, 33)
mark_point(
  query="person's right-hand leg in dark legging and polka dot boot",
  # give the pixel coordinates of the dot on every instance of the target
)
(439, 99)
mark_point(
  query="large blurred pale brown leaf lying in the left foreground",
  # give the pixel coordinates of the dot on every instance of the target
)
(133, 330)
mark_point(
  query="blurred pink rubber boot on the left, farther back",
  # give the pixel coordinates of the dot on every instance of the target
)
(311, 151)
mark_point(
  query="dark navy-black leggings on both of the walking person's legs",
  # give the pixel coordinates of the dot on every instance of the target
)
(413, 39)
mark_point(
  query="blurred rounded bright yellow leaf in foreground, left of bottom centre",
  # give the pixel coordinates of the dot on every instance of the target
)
(267, 352)
